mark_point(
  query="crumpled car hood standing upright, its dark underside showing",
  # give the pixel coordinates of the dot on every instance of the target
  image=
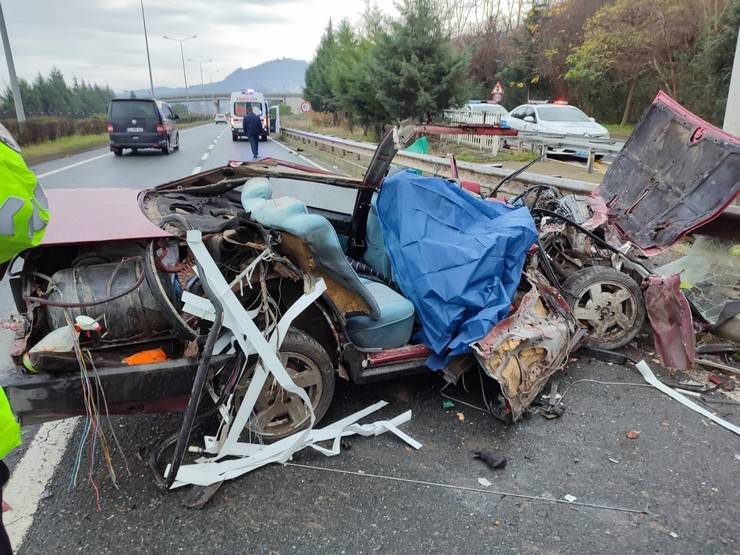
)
(675, 173)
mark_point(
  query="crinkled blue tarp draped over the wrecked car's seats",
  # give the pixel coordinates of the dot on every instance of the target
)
(456, 257)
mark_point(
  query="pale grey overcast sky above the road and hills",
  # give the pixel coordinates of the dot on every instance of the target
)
(102, 40)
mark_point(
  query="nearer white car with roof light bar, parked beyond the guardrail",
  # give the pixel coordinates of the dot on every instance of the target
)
(558, 118)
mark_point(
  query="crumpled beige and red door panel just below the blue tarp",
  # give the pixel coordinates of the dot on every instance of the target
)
(524, 350)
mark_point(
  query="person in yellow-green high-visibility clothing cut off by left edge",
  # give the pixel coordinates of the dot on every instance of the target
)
(24, 213)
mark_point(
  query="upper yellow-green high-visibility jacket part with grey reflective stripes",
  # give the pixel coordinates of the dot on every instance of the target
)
(24, 210)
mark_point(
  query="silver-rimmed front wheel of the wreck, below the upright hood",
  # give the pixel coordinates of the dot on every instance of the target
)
(608, 303)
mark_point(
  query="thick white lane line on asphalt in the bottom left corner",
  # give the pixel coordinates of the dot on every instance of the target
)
(32, 475)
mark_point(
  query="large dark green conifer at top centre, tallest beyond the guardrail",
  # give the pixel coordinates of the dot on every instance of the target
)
(415, 71)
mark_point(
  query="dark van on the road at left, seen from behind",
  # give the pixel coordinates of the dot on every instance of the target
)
(142, 123)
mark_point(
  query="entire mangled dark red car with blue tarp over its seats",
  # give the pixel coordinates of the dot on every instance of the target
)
(117, 275)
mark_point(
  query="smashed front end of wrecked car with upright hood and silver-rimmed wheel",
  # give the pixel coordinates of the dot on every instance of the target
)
(675, 173)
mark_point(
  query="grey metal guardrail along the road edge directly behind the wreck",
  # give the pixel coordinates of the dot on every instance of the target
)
(487, 176)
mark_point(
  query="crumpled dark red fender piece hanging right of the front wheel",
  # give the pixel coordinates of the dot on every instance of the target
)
(670, 317)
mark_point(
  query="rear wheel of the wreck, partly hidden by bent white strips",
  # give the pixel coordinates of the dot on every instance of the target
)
(277, 414)
